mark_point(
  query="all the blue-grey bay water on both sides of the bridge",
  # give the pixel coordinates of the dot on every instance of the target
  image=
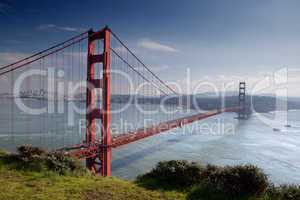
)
(221, 140)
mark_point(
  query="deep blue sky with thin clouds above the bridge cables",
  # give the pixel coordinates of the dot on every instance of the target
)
(214, 38)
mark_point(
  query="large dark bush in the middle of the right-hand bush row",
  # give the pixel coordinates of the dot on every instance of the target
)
(236, 181)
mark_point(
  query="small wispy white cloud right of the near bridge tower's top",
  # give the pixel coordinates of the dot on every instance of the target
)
(156, 46)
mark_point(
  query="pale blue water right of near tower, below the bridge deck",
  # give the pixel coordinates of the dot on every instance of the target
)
(240, 142)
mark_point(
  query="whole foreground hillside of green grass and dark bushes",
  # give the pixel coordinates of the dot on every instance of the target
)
(36, 174)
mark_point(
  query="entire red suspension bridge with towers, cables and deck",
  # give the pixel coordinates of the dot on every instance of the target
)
(101, 77)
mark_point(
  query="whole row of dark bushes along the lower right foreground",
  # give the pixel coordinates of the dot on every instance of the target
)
(216, 183)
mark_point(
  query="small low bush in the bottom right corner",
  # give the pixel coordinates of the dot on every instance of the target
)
(284, 192)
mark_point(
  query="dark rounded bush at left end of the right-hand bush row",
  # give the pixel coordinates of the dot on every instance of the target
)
(174, 174)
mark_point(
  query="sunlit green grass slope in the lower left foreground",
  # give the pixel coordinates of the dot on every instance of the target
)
(16, 183)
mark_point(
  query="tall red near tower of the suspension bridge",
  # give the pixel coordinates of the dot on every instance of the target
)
(101, 166)
